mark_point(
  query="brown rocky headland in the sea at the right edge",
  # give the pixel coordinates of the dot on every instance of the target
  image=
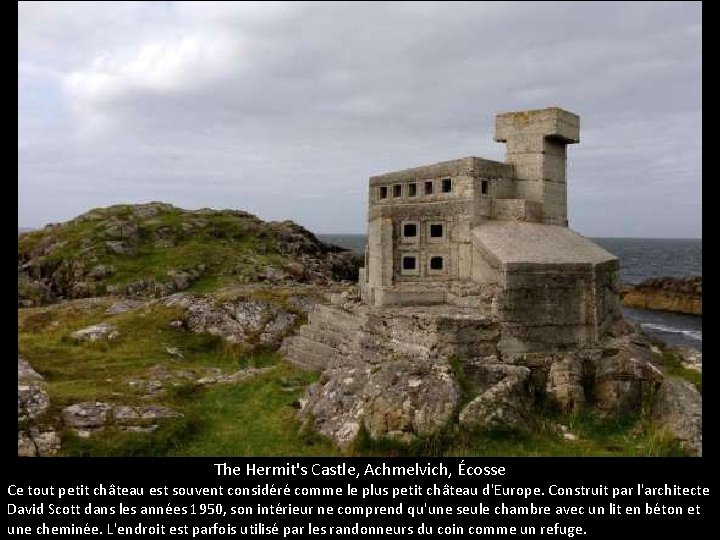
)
(680, 295)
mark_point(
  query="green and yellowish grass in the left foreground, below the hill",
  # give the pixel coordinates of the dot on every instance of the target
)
(256, 417)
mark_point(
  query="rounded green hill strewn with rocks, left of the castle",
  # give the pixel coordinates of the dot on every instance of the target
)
(155, 249)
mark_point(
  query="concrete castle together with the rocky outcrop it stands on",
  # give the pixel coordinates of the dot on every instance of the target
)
(476, 304)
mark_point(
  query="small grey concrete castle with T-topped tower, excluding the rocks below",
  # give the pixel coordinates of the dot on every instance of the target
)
(493, 236)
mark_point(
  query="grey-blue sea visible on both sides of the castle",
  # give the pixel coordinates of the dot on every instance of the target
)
(640, 258)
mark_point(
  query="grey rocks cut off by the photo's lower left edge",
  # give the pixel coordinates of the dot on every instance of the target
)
(35, 436)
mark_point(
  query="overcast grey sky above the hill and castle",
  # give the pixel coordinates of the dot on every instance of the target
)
(286, 109)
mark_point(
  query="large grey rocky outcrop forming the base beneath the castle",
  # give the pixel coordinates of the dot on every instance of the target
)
(410, 373)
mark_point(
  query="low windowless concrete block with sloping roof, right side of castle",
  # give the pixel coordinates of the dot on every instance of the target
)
(559, 290)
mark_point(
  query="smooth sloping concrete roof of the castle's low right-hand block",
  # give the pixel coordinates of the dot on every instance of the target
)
(519, 242)
